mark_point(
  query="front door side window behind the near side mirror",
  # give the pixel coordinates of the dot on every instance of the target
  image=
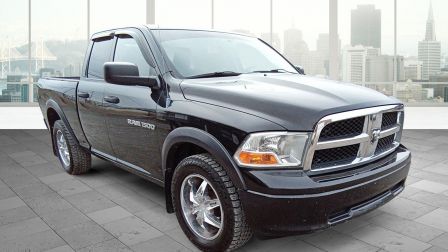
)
(127, 50)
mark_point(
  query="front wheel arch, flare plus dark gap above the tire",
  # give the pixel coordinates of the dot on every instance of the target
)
(194, 141)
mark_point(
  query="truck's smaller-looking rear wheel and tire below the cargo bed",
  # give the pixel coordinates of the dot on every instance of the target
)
(79, 160)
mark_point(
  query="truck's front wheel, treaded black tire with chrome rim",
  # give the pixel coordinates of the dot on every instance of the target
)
(234, 231)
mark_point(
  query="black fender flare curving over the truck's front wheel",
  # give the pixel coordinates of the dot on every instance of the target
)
(207, 142)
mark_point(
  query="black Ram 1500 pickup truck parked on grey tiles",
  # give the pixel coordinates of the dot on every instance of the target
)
(242, 141)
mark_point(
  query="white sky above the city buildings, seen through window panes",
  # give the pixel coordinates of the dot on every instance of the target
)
(66, 19)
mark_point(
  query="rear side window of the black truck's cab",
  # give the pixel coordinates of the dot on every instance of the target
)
(99, 55)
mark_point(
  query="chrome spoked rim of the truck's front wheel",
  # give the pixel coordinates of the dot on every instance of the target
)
(201, 207)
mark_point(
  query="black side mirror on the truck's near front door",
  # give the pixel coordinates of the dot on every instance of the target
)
(124, 73)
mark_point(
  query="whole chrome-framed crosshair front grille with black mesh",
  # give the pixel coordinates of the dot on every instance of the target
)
(350, 139)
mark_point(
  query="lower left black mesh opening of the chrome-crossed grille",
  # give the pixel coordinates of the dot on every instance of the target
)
(335, 156)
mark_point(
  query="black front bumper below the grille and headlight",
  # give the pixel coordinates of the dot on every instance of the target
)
(291, 202)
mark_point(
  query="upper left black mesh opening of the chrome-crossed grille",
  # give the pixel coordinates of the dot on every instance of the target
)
(342, 129)
